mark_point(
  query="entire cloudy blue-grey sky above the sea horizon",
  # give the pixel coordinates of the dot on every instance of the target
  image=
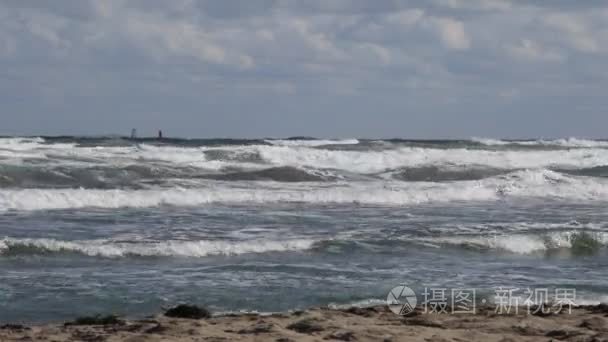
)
(324, 68)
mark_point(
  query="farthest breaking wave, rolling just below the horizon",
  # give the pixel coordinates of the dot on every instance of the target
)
(362, 159)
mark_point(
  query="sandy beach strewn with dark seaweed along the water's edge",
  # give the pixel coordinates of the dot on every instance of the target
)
(355, 324)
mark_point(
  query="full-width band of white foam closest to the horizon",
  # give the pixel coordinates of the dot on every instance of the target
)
(304, 157)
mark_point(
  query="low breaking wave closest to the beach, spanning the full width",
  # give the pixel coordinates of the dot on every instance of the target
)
(574, 241)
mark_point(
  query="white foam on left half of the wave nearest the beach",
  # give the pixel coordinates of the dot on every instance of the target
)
(201, 248)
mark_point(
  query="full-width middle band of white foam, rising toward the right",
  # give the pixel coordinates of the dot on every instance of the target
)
(521, 184)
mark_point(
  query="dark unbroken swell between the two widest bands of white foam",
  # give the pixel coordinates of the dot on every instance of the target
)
(145, 176)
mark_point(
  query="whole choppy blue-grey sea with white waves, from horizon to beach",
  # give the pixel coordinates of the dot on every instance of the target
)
(128, 226)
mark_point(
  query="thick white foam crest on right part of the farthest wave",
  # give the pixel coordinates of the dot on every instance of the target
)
(378, 161)
